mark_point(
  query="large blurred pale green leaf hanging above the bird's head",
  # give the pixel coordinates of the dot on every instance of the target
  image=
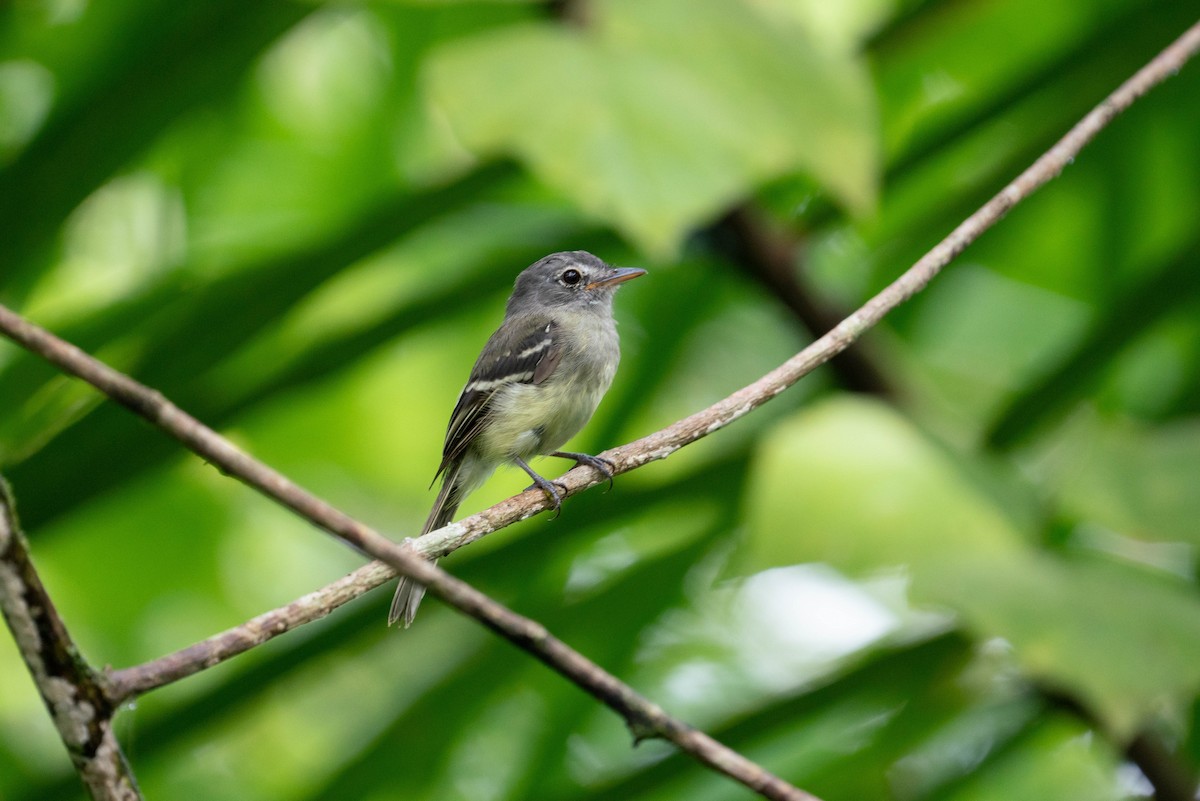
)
(639, 124)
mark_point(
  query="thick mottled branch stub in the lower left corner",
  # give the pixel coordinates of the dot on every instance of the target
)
(79, 704)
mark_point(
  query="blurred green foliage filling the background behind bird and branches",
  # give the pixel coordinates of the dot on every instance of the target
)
(301, 221)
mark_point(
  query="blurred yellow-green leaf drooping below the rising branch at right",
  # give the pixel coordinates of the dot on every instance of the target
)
(853, 484)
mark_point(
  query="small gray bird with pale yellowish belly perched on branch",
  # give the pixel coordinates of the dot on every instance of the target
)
(536, 386)
